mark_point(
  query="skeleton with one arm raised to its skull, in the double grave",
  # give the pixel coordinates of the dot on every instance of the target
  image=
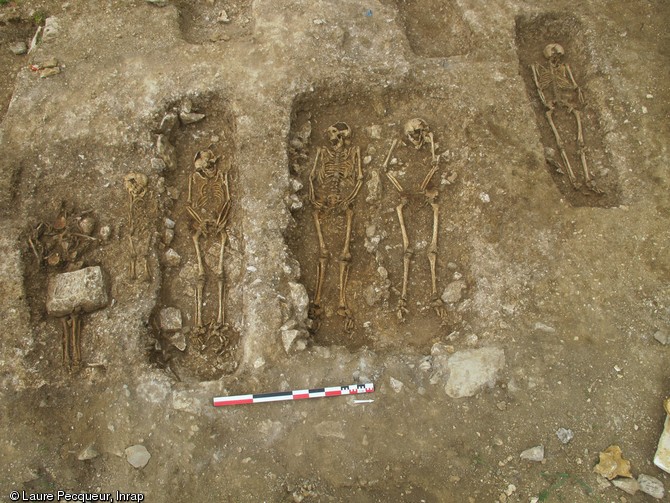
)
(418, 135)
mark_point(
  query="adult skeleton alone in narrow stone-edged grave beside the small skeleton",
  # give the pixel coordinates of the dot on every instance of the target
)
(208, 205)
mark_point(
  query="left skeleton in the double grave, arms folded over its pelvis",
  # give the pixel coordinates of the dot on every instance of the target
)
(334, 183)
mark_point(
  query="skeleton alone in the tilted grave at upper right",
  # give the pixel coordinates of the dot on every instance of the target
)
(557, 87)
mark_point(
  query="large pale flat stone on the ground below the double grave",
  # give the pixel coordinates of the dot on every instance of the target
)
(473, 369)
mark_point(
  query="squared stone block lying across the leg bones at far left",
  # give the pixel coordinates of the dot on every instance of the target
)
(84, 289)
